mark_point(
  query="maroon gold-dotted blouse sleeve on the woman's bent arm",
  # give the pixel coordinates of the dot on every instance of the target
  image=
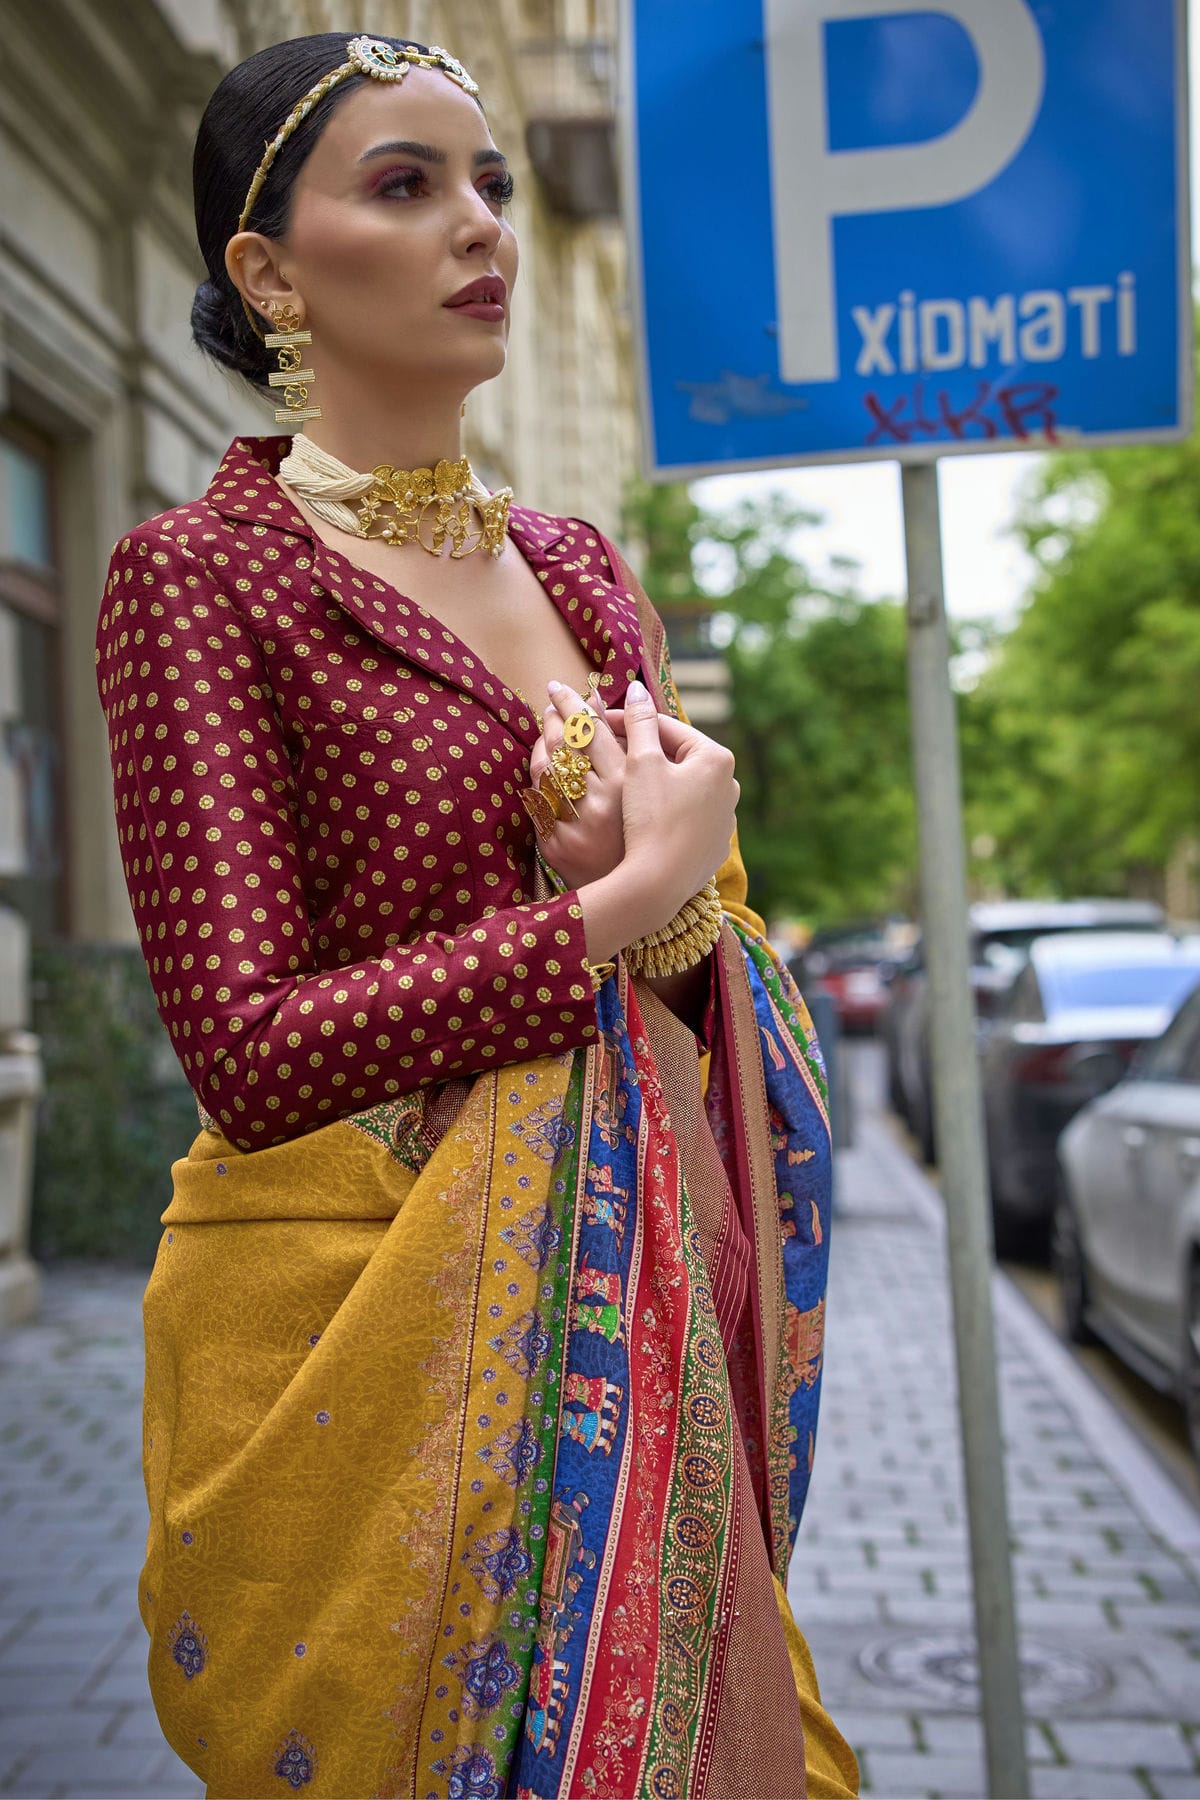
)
(206, 816)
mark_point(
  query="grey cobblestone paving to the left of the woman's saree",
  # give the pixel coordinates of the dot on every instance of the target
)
(75, 1705)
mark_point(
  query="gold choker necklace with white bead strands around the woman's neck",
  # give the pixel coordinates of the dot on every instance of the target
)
(427, 507)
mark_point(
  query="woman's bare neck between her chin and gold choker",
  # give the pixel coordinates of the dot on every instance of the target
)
(366, 427)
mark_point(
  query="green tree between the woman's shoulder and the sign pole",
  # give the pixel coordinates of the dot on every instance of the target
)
(818, 699)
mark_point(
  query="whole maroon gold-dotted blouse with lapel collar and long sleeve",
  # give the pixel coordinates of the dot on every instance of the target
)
(318, 802)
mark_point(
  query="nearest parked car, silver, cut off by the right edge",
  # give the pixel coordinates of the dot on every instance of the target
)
(1127, 1219)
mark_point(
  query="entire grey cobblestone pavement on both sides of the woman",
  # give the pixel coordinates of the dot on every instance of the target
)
(1107, 1543)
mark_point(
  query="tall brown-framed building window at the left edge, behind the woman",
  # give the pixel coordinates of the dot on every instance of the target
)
(33, 739)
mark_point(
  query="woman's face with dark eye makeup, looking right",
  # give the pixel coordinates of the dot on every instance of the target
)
(399, 208)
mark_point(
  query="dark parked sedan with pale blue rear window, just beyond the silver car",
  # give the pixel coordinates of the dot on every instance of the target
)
(1082, 1005)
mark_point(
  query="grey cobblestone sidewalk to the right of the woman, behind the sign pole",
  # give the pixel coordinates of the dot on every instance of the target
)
(1107, 1549)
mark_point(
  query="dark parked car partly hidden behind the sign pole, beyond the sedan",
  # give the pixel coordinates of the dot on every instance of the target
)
(1001, 933)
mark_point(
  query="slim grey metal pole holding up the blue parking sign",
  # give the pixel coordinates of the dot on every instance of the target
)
(958, 1119)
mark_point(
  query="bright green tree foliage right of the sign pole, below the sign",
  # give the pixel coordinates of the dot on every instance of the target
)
(1082, 742)
